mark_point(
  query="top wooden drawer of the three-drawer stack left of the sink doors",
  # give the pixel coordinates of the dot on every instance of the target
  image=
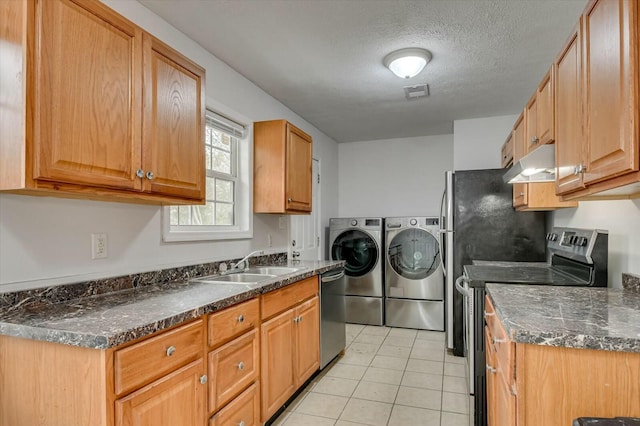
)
(233, 321)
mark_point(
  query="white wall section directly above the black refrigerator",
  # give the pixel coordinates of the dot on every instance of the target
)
(477, 141)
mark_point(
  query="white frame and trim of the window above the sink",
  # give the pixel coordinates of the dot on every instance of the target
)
(242, 160)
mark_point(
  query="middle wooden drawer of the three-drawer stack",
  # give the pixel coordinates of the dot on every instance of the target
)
(232, 367)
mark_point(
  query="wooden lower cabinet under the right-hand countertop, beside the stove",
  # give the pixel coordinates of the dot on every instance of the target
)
(531, 385)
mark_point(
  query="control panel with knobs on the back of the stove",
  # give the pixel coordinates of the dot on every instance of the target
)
(575, 243)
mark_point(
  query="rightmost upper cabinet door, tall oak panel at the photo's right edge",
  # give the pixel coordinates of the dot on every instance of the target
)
(609, 63)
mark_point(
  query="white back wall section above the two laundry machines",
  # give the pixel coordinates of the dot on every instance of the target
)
(394, 177)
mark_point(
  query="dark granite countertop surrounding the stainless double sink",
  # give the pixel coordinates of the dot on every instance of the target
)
(111, 319)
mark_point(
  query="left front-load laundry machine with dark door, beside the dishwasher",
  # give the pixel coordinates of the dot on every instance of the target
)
(358, 241)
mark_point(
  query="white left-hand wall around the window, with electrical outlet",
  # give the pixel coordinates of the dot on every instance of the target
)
(46, 240)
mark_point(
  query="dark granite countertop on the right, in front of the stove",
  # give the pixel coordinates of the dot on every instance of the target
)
(573, 317)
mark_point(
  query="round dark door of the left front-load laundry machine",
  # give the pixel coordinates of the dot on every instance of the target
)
(358, 249)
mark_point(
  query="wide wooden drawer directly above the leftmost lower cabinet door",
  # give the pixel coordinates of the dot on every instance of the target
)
(143, 362)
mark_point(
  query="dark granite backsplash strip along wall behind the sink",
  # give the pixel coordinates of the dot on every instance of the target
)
(61, 293)
